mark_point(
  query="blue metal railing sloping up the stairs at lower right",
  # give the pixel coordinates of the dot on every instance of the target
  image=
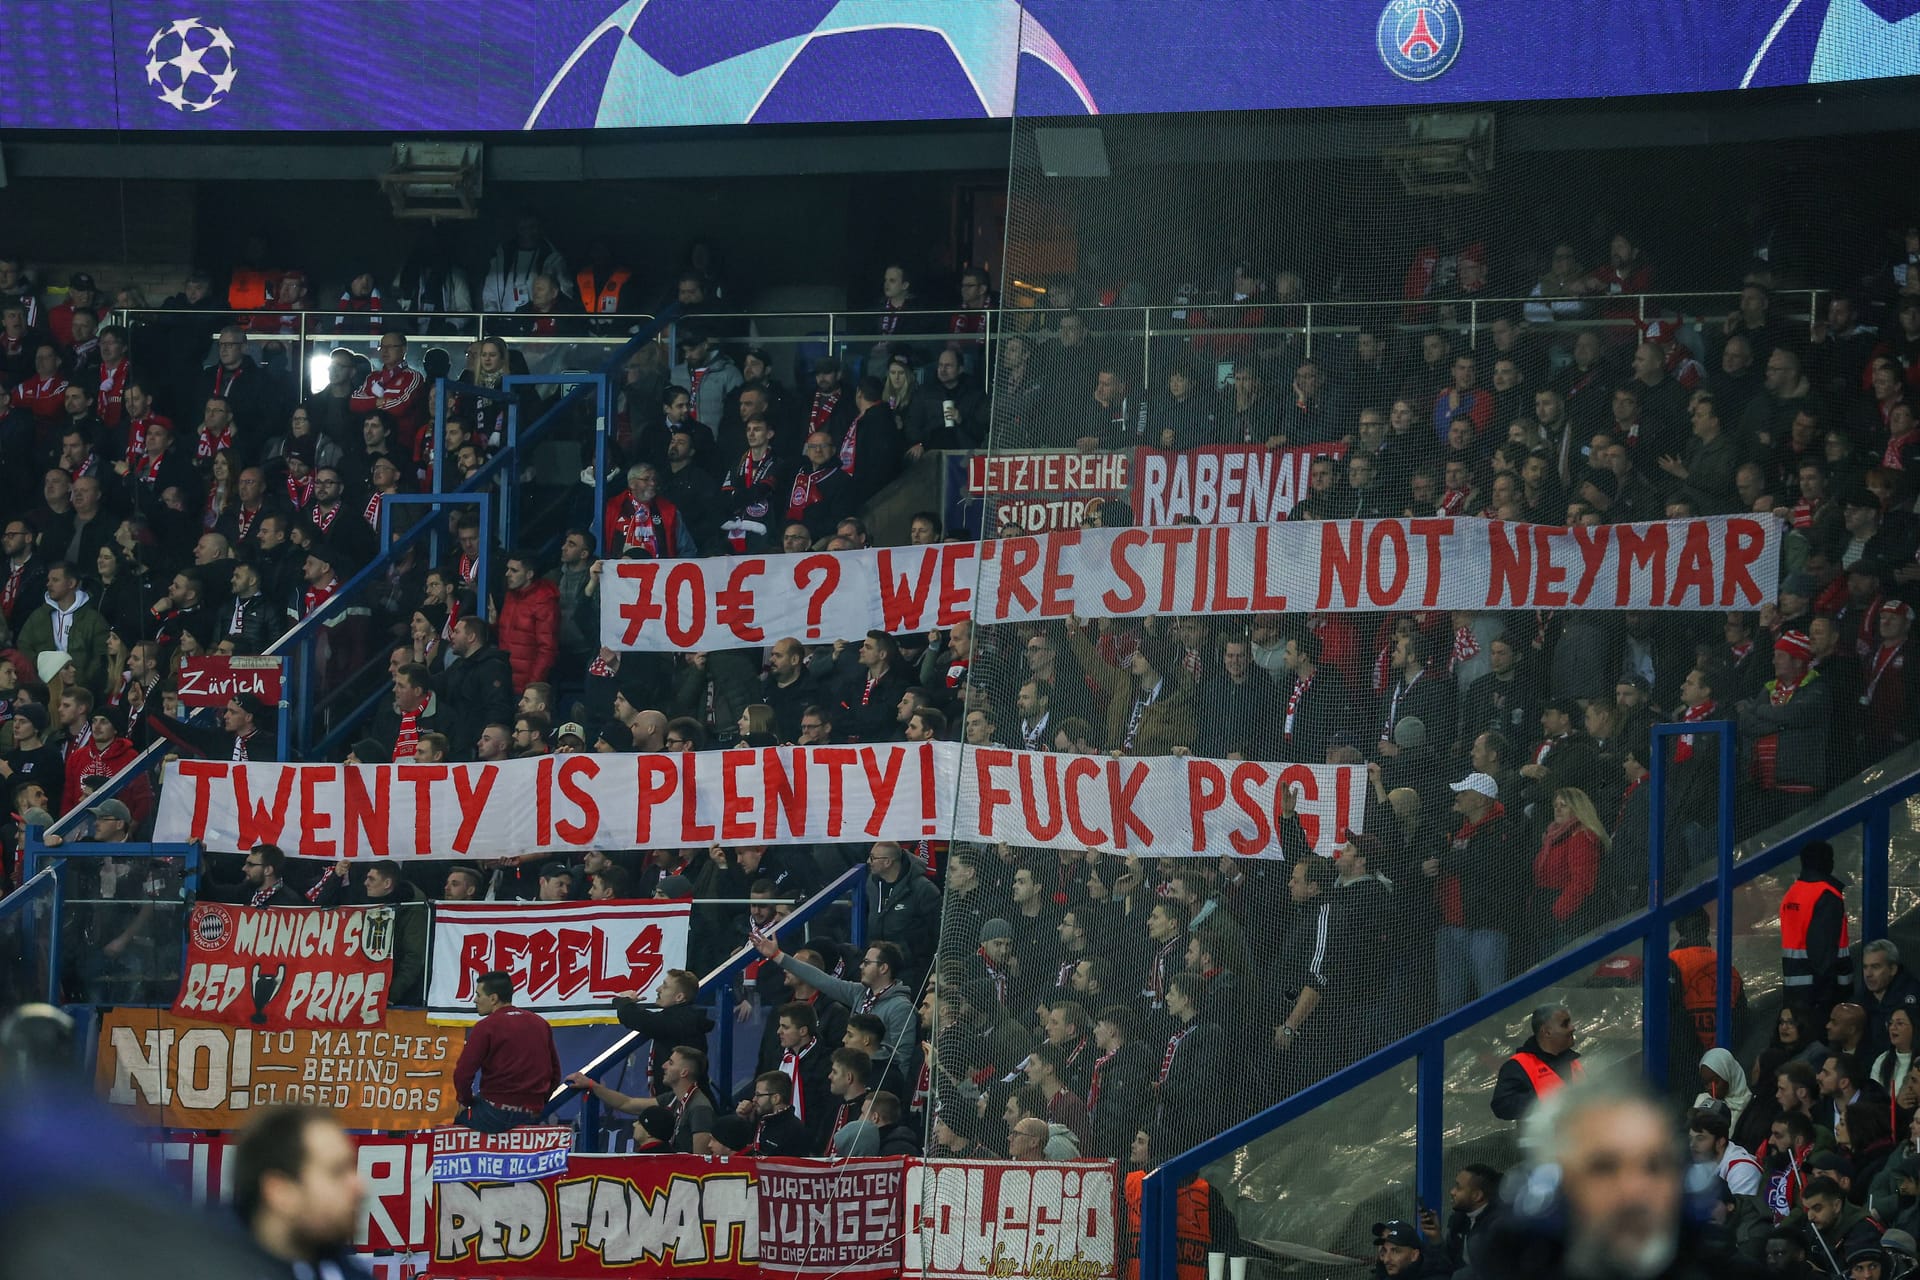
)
(1648, 930)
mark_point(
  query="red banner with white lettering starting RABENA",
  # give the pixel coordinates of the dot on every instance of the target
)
(1222, 485)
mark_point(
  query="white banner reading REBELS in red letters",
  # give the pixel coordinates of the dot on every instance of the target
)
(567, 959)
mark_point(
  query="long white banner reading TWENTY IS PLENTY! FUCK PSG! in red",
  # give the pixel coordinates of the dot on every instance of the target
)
(773, 795)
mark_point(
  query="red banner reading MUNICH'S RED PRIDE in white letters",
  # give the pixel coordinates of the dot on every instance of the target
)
(283, 968)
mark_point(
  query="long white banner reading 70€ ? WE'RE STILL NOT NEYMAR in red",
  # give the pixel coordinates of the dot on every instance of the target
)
(1714, 563)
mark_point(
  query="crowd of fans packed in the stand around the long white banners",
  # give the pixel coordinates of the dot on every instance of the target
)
(168, 500)
